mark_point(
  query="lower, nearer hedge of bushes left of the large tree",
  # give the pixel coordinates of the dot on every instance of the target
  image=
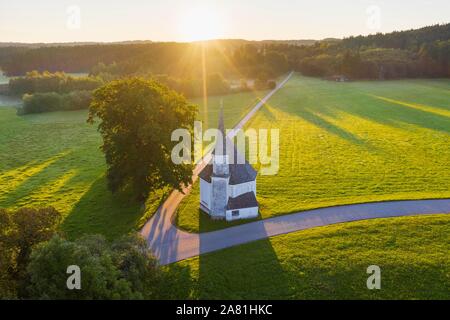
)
(52, 101)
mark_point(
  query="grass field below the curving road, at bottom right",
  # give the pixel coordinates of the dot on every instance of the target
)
(328, 263)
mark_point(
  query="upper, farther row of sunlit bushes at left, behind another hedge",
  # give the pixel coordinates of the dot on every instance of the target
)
(59, 82)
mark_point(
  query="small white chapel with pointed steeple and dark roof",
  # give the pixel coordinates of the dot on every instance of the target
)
(228, 188)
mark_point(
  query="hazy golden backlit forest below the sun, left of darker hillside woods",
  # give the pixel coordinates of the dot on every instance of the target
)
(230, 58)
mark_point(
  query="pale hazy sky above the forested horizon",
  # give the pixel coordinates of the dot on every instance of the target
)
(184, 20)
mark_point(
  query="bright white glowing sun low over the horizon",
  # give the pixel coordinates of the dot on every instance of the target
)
(200, 24)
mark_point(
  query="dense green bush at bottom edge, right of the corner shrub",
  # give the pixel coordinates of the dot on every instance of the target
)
(121, 270)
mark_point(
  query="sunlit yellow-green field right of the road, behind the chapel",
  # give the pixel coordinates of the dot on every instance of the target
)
(343, 143)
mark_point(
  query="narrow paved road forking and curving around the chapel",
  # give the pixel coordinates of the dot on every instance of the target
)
(169, 244)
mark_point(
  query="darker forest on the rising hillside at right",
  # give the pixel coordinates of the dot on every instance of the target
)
(423, 52)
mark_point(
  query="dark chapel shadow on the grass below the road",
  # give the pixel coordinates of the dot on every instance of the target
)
(231, 273)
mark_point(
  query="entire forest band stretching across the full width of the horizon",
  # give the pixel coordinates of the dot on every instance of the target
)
(423, 52)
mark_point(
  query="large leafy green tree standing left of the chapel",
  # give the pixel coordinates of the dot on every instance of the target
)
(137, 118)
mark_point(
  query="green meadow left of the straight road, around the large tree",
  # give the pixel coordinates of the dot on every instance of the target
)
(53, 159)
